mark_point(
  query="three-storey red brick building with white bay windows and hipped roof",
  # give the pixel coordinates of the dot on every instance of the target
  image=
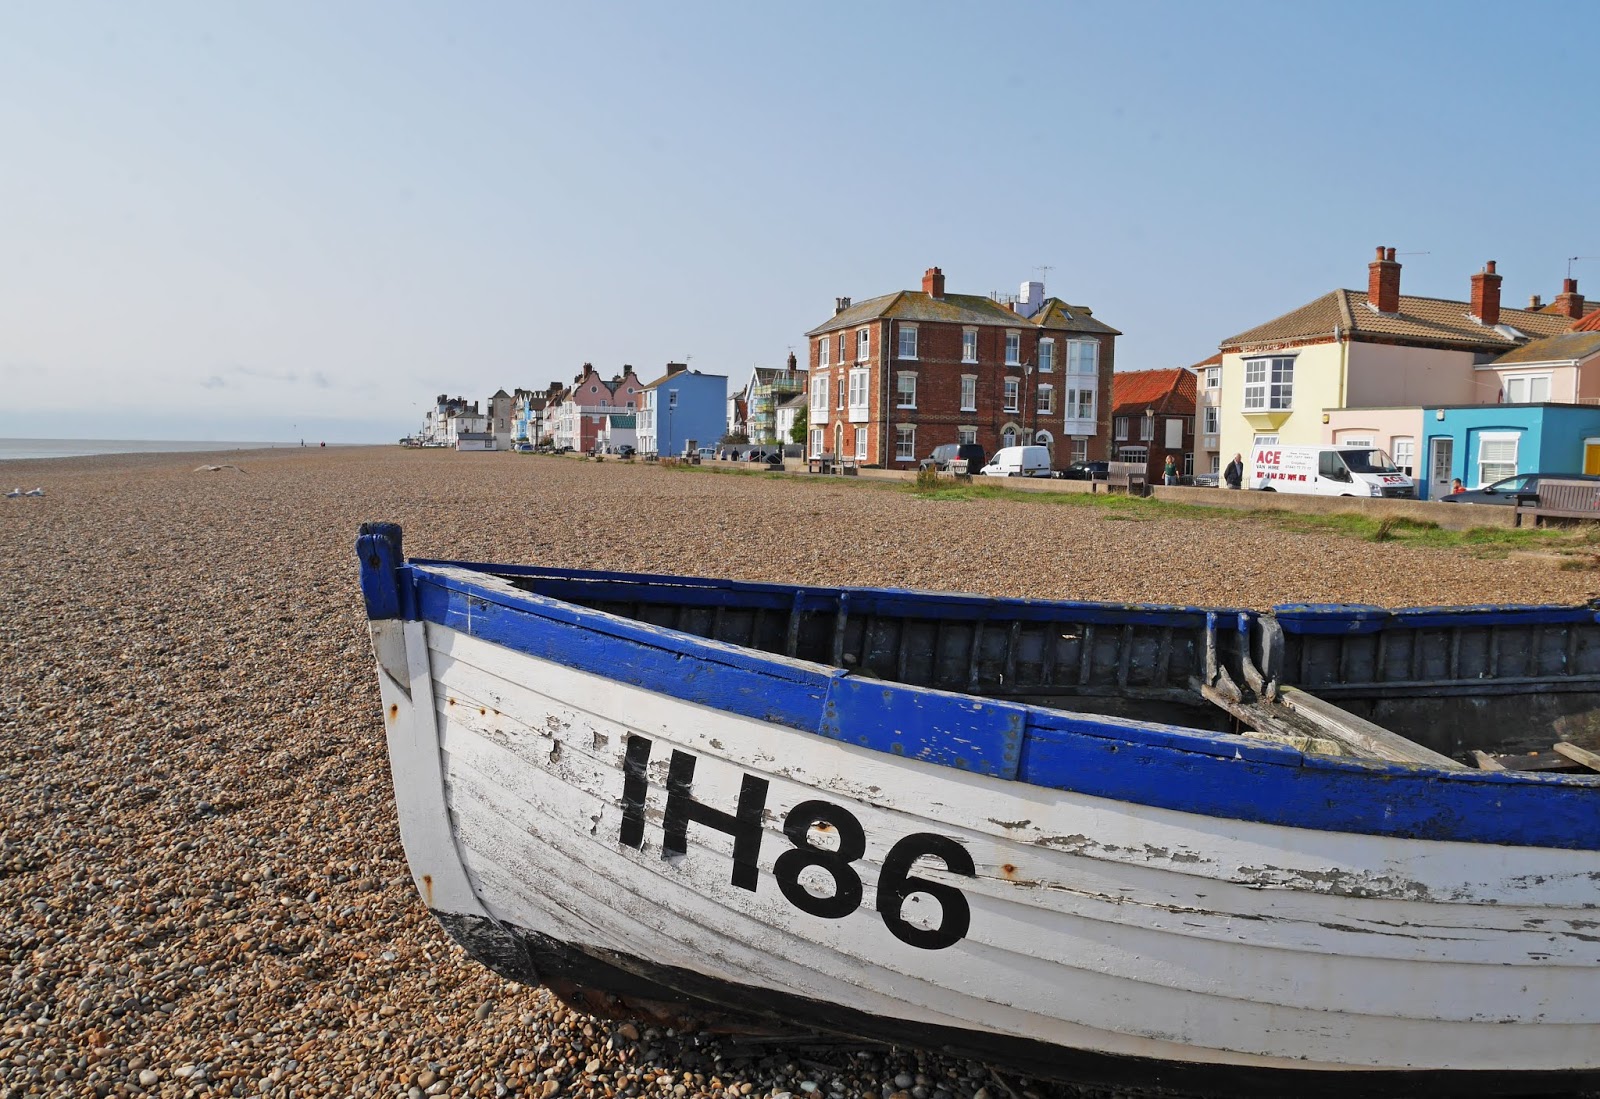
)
(903, 374)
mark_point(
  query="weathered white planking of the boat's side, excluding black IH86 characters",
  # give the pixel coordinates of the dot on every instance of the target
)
(1097, 925)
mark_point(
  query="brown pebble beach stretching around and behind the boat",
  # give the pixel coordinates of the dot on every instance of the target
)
(202, 889)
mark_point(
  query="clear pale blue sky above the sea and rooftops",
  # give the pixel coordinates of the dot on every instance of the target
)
(281, 220)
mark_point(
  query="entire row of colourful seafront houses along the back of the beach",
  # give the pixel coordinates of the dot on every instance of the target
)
(1450, 390)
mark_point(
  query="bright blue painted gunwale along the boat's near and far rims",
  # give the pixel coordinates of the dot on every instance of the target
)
(1145, 764)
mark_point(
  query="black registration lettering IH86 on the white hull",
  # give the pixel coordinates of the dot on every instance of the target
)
(745, 825)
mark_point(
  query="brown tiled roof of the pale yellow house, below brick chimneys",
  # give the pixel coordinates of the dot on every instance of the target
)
(1428, 321)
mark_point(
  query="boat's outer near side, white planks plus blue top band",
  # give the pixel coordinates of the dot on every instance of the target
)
(625, 812)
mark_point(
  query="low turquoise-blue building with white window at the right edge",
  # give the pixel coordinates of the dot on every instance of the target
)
(1484, 444)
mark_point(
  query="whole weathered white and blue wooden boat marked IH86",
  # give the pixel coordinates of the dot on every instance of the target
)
(1322, 849)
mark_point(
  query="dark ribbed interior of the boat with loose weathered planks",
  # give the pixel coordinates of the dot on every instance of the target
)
(1479, 687)
